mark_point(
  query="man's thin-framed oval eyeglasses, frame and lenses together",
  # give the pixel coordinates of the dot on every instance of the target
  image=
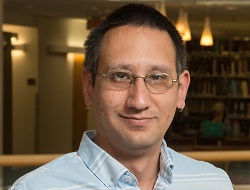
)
(155, 83)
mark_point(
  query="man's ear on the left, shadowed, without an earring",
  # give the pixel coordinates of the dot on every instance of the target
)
(87, 88)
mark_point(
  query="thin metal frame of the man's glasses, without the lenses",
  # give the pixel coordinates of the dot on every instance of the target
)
(134, 77)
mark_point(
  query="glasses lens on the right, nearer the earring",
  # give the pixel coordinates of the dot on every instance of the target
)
(159, 82)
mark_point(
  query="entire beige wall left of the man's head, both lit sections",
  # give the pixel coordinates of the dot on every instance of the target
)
(54, 88)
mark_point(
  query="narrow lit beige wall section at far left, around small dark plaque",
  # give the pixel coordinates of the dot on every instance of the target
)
(24, 66)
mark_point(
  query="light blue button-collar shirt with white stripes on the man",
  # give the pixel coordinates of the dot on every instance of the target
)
(93, 168)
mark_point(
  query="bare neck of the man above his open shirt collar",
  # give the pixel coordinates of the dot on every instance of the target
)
(142, 162)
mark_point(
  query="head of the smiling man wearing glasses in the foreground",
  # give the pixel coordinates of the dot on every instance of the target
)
(136, 87)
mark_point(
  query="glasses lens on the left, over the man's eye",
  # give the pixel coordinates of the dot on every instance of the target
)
(119, 79)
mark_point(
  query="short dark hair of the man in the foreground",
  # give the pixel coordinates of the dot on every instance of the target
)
(136, 15)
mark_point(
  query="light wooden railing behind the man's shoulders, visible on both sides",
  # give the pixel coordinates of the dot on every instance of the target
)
(210, 156)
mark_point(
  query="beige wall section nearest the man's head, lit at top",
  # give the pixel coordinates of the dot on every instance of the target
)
(56, 82)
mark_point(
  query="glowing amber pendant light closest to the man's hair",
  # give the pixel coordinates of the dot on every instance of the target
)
(182, 25)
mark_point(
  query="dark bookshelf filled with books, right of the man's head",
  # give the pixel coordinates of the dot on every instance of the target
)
(218, 73)
